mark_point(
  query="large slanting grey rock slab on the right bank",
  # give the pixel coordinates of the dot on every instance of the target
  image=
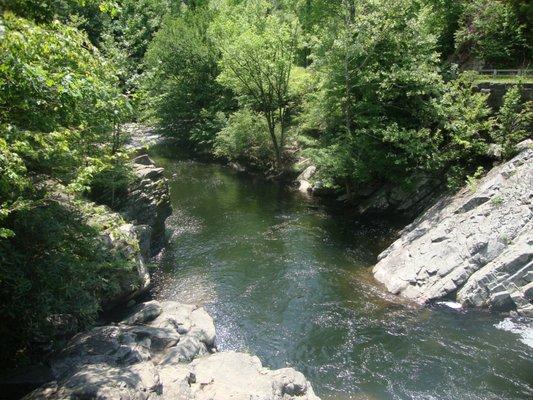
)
(476, 246)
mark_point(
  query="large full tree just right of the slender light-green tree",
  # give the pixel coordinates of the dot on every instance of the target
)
(376, 70)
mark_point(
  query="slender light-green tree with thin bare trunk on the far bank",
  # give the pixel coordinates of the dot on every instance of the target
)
(258, 45)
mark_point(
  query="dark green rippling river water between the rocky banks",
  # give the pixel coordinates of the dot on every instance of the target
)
(290, 280)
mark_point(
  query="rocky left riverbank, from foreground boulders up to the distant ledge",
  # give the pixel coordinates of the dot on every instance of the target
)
(158, 350)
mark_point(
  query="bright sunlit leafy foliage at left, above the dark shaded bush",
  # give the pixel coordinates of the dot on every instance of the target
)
(59, 100)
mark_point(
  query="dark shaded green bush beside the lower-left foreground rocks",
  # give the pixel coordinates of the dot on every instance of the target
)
(56, 263)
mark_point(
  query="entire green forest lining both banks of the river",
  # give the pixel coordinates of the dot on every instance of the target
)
(370, 91)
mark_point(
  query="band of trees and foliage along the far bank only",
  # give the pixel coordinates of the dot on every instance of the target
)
(379, 98)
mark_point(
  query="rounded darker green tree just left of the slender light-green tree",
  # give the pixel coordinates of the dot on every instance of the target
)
(181, 92)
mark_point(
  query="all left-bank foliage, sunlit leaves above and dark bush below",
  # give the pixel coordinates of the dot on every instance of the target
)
(60, 109)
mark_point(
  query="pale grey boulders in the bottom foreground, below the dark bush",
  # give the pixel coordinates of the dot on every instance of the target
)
(164, 351)
